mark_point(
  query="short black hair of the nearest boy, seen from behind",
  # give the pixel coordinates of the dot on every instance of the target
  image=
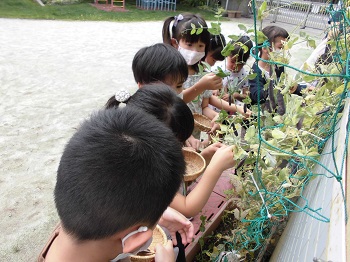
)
(121, 168)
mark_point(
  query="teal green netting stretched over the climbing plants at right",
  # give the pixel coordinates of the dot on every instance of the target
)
(280, 158)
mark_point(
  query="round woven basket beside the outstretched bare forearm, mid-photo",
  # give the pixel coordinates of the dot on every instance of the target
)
(195, 164)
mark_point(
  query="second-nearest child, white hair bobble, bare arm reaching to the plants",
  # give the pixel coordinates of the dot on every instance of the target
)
(218, 157)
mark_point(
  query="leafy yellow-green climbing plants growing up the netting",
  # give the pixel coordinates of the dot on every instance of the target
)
(277, 149)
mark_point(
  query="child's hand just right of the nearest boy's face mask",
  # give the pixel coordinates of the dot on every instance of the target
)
(174, 221)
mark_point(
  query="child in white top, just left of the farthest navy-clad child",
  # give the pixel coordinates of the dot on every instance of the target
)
(235, 64)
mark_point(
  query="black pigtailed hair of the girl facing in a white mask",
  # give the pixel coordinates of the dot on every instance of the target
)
(181, 29)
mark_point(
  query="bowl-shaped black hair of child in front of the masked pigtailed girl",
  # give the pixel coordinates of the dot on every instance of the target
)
(157, 62)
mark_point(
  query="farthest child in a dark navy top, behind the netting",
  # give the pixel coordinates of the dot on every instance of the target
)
(276, 37)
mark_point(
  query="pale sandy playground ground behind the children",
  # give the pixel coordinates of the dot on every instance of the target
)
(53, 74)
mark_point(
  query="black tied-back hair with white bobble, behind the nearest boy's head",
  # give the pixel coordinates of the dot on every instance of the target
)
(161, 101)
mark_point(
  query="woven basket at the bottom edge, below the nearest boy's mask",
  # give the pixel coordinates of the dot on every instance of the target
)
(159, 237)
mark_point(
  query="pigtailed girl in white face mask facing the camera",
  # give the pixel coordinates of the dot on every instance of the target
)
(193, 47)
